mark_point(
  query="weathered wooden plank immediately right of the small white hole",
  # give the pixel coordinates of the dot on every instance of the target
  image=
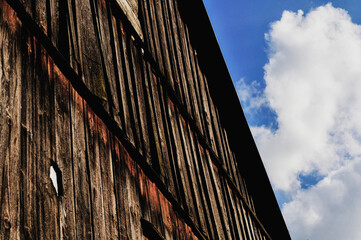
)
(62, 147)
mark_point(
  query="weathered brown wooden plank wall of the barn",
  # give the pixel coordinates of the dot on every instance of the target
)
(126, 119)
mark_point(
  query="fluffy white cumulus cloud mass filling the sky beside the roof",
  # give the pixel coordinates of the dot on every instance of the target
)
(313, 83)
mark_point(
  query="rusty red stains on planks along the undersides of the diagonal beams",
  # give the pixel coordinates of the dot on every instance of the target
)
(158, 202)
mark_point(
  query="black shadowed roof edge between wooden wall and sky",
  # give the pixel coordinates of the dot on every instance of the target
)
(233, 119)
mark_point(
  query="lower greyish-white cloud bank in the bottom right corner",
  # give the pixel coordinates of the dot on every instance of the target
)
(329, 210)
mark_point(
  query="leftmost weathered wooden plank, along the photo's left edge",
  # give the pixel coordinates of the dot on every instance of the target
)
(10, 123)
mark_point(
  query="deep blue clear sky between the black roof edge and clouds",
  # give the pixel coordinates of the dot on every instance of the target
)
(240, 26)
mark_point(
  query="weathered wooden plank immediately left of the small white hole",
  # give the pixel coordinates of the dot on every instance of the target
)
(46, 211)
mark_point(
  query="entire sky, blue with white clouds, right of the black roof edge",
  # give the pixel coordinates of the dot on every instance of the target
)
(296, 66)
